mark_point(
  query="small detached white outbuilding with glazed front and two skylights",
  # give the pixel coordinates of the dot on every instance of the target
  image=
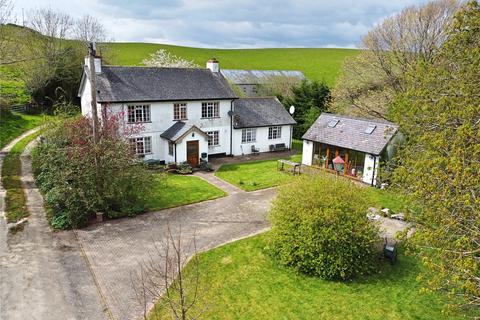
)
(361, 144)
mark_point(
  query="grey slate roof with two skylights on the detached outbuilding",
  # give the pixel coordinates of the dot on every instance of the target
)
(349, 133)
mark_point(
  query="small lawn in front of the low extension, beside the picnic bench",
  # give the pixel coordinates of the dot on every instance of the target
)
(254, 175)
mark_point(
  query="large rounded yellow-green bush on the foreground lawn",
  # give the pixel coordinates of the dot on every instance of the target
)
(319, 227)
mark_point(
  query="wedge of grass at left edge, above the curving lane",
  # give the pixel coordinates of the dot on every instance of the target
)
(13, 126)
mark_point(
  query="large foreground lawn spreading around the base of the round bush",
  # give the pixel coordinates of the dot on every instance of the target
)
(245, 283)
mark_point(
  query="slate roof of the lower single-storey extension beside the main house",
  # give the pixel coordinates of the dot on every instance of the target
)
(260, 112)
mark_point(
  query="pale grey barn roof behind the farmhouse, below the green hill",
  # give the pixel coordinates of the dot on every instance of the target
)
(258, 76)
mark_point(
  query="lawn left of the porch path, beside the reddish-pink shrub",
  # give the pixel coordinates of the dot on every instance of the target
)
(176, 190)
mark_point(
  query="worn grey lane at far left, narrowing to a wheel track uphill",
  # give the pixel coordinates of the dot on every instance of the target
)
(43, 274)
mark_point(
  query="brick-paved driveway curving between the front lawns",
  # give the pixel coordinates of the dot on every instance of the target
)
(116, 248)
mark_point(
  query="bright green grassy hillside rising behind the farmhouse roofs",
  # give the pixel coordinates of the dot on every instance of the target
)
(315, 63)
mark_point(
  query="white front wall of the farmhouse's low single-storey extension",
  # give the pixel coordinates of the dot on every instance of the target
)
(262, 142)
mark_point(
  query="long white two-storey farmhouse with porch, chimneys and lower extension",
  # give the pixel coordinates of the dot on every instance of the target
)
(187, 114)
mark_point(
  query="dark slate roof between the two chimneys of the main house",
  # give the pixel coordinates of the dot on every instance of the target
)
(126, 84)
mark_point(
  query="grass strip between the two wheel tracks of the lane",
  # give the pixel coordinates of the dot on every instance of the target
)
(15, 200)
